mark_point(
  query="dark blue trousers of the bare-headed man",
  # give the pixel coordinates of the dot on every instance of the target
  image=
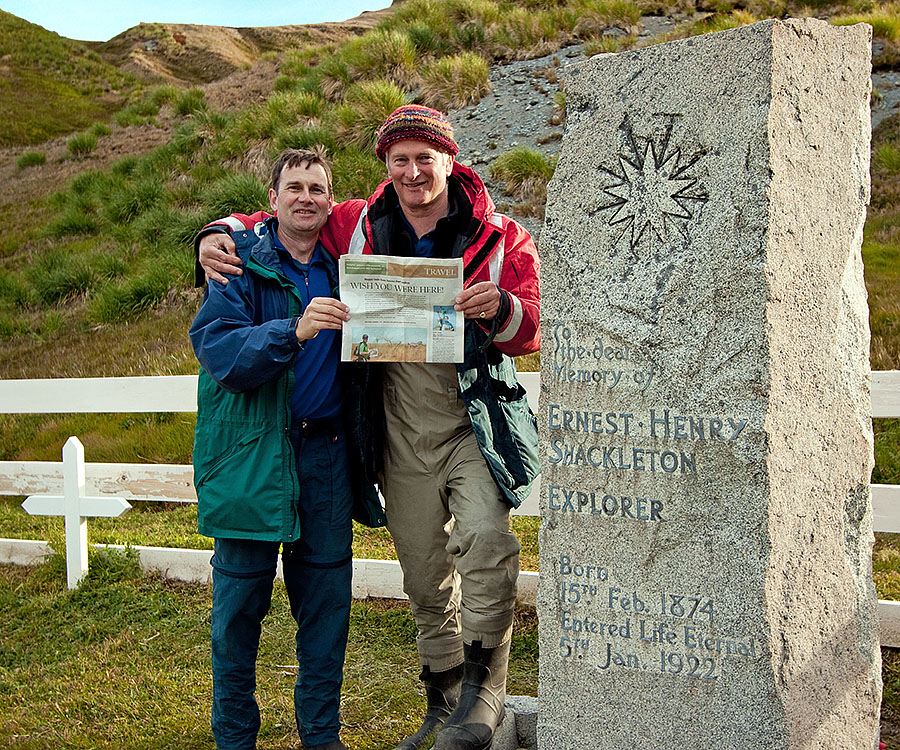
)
(317, 572)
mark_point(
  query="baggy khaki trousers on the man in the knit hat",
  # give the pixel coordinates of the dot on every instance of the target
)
(460, 560)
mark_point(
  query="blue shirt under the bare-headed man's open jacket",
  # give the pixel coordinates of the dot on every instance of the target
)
(317, 390)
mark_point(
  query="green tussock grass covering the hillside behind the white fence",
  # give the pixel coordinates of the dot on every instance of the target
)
(95, 278)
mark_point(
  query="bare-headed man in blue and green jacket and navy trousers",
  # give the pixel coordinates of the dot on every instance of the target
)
(271, 461)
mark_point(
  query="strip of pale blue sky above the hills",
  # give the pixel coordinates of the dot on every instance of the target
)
(99, 21)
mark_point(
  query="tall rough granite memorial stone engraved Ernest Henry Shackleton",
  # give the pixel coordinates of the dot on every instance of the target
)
(705, 413)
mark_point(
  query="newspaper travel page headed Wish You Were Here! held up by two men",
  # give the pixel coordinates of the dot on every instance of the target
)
(401, 309)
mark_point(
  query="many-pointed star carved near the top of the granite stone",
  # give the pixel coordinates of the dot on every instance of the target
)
(653, 190)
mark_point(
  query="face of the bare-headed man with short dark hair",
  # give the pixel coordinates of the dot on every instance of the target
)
(303, 200)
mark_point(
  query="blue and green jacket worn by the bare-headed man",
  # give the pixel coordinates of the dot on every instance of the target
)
(244, 465)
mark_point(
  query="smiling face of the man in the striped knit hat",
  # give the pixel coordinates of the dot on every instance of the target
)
(419, 172)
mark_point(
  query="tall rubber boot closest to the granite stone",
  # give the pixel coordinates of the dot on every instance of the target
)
(481, 704)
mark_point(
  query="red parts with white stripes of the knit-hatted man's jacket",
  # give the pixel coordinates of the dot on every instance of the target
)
(496, 248)
